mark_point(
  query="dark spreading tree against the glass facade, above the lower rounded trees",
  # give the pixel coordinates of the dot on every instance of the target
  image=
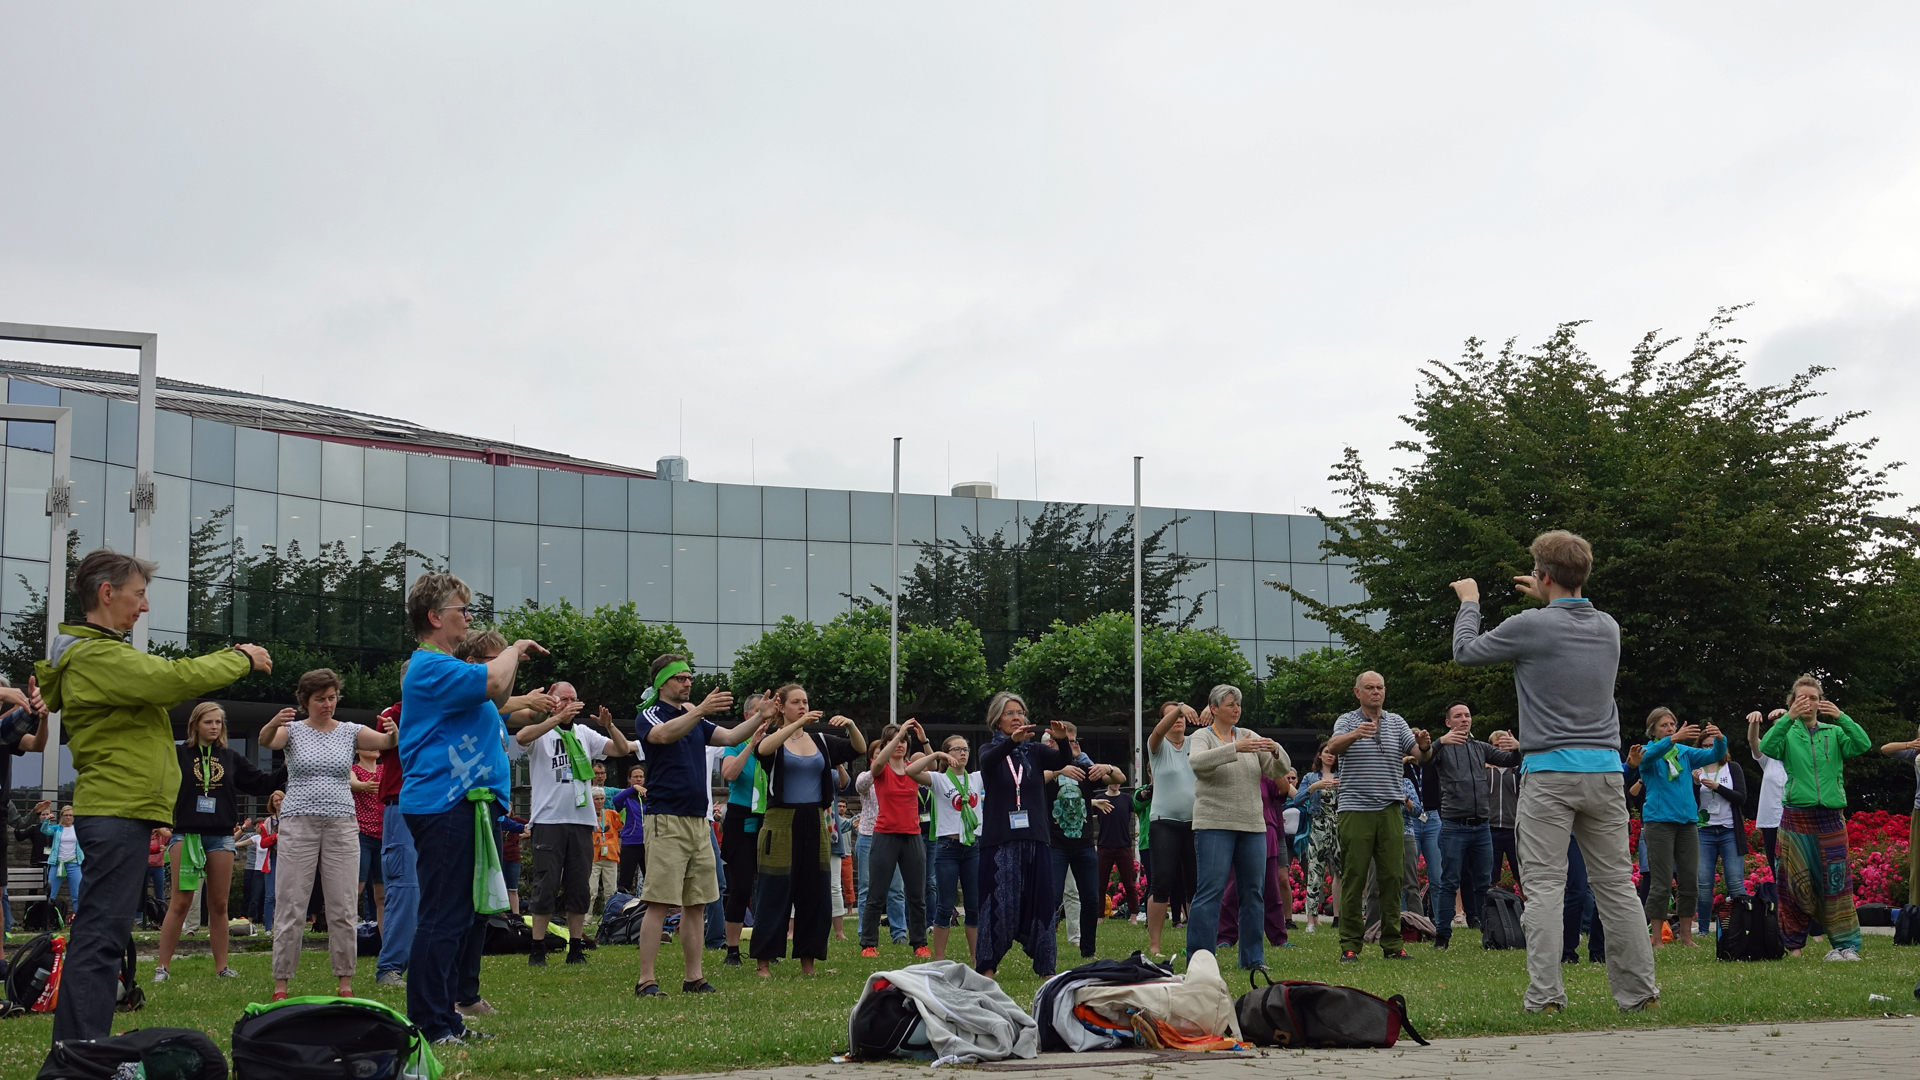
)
(1067, 566)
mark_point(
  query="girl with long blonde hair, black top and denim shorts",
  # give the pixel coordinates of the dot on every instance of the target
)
(204, 816)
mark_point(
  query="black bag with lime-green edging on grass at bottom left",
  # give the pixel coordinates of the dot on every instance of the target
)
(329, 1039)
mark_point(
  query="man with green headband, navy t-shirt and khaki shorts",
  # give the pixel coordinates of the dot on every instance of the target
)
(681, 852)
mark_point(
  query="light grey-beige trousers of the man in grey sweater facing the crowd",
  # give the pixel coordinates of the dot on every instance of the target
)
(1593, 806)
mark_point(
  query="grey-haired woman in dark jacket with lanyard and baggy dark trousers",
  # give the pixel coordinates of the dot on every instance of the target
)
(1017, 860)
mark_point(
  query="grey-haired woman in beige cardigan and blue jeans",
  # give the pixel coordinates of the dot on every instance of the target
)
(1230, 827)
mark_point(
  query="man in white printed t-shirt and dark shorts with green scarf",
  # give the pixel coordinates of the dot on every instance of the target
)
(562, 827)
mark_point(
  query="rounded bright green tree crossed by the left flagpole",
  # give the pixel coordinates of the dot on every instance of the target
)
(844, 666)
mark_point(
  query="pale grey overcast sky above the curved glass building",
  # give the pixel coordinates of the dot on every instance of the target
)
(1224, 237)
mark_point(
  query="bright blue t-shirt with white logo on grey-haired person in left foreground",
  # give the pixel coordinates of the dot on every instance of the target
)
(452, 739)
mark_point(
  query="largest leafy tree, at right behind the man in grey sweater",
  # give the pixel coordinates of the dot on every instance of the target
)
(1729, 524)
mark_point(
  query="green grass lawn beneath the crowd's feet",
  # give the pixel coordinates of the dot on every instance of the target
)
(587, 1021)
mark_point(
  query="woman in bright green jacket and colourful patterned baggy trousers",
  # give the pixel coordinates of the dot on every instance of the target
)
(1813, 827)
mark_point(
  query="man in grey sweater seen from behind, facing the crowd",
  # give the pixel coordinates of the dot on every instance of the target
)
(1566, 658)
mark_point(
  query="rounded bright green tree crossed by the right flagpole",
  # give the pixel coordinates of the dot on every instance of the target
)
(1086, 672)
